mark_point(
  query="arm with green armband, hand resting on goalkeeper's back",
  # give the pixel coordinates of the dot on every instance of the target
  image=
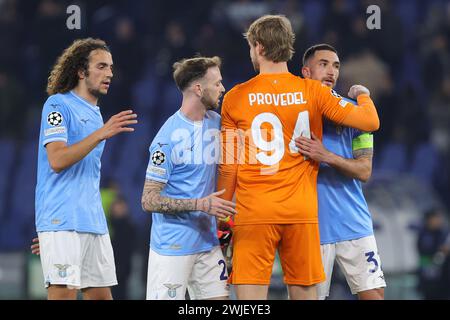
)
(360, 167)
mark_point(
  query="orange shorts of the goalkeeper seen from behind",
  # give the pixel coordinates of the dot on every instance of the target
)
(298, 247)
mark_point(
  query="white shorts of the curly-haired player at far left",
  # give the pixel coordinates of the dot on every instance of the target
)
(78, 260)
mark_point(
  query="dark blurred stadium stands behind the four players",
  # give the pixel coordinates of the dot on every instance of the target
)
(406, 65)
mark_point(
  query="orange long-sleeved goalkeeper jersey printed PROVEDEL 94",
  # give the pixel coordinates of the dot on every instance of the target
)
(260, 120)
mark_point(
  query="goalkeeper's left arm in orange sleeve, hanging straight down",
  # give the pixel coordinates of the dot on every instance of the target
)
(230, 142)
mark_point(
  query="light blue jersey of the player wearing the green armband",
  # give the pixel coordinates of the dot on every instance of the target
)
(343, 210)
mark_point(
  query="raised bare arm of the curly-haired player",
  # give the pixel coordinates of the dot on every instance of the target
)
(61, 156)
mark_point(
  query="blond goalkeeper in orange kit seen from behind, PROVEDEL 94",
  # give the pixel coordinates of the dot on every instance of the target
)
(276, 196)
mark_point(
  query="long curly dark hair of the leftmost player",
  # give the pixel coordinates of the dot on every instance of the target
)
(64, 75)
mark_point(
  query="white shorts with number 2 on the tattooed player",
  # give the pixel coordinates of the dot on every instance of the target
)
(203, 274)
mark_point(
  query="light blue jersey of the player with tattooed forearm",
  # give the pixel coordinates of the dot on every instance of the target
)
(184, 155)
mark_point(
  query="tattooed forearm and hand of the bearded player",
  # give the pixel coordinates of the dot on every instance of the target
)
(153, 201)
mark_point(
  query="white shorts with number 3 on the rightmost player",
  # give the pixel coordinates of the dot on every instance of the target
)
(358, 260)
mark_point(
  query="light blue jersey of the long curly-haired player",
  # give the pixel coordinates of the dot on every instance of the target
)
(69, 200)
